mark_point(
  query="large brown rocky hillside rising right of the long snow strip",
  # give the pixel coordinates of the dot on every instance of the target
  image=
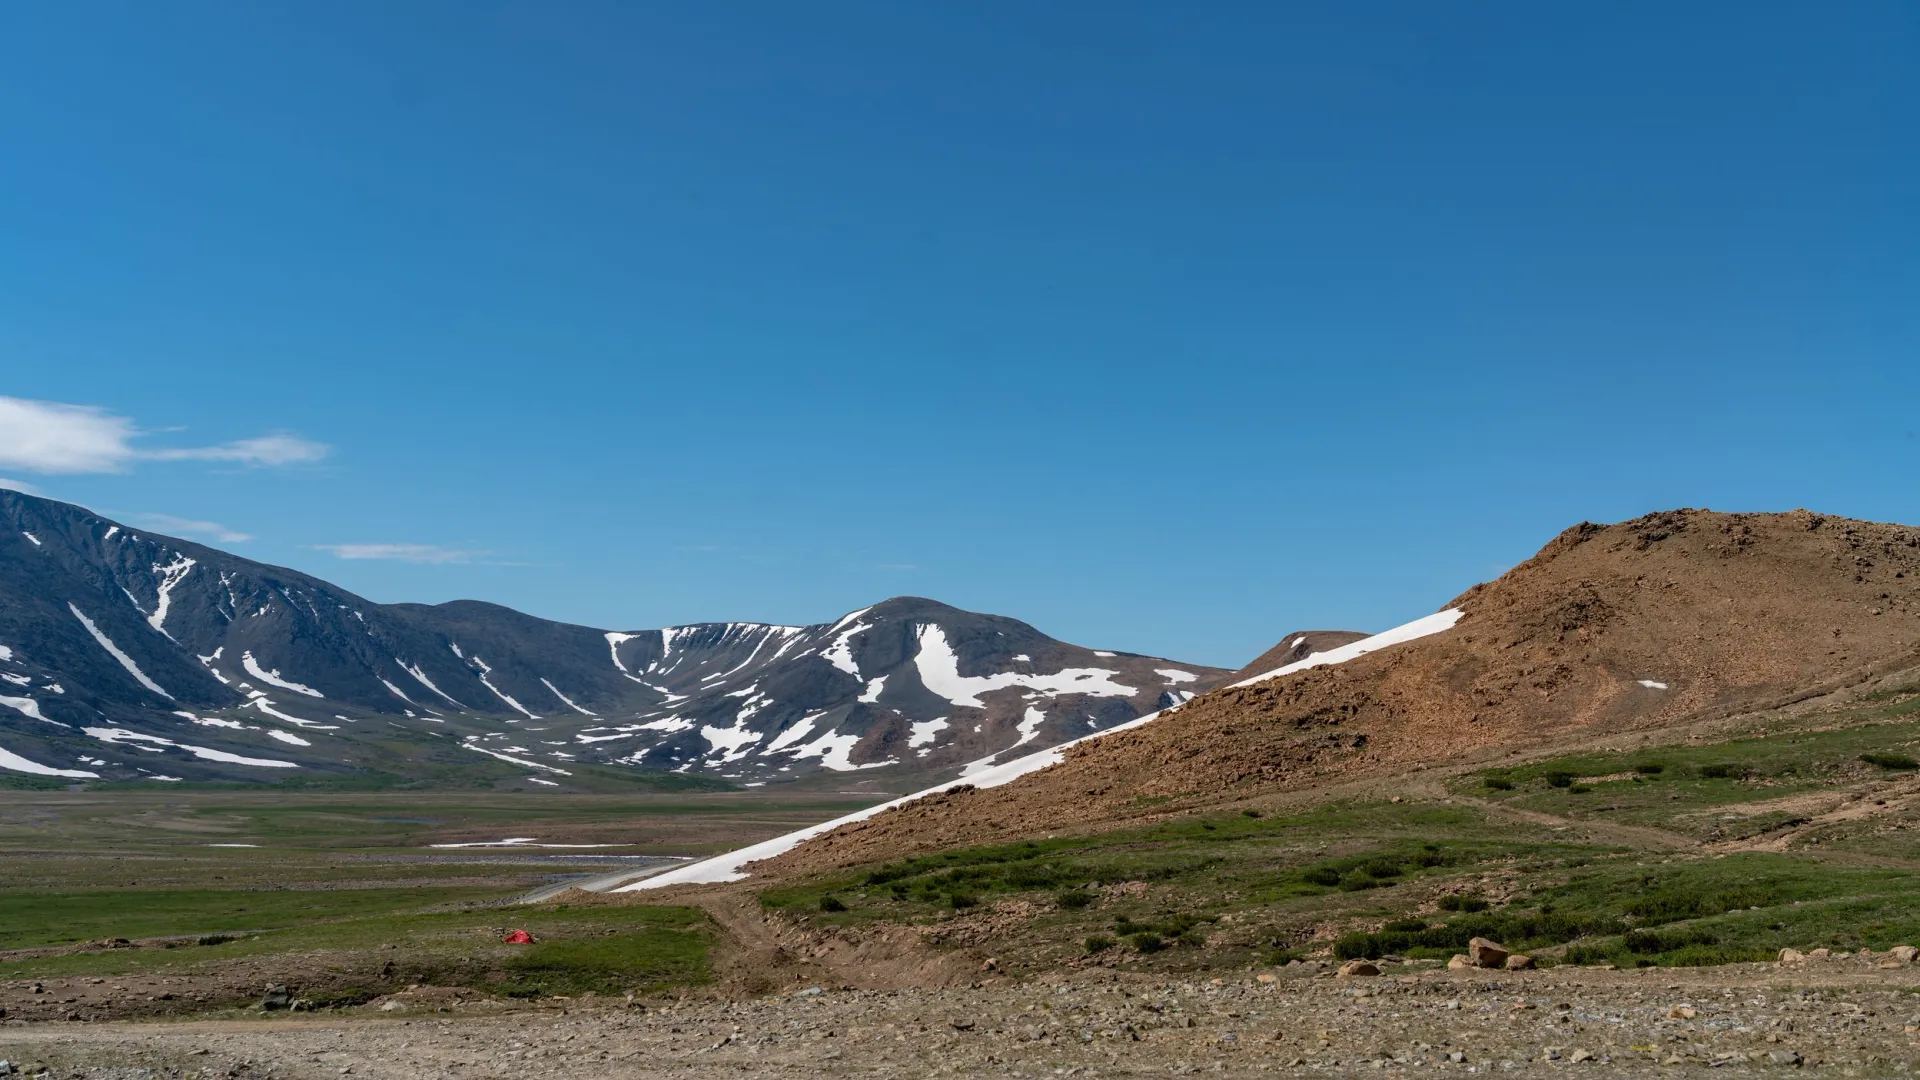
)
(1656, 622)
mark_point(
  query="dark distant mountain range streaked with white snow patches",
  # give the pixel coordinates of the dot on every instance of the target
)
(137, 656)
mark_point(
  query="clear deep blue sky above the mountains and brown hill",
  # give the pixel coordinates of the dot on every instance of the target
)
(1166, 328)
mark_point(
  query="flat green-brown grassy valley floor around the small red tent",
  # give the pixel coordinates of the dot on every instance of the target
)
(347, 893)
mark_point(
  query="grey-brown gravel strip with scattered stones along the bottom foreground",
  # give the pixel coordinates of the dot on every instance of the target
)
(1746, 1019)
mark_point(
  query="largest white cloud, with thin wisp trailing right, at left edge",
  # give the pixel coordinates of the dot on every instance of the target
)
(53, 437)
